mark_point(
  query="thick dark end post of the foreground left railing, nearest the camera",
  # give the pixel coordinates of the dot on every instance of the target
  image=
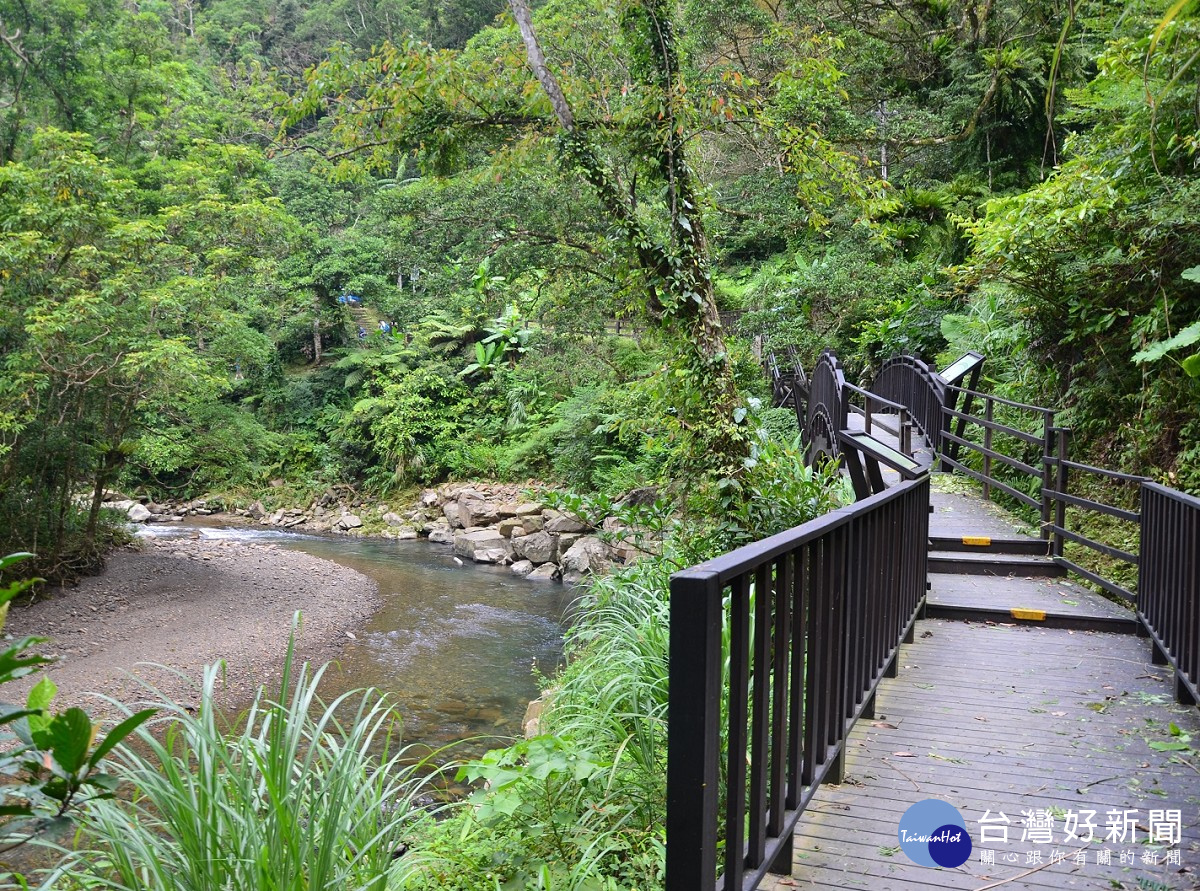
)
(694, 715)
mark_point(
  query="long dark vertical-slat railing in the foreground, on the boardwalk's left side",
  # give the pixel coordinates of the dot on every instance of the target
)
(777, 649)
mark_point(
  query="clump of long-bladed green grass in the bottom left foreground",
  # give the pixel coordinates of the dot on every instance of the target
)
(292, 799)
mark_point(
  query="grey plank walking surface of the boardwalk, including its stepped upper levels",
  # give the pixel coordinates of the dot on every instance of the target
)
(1051, 729)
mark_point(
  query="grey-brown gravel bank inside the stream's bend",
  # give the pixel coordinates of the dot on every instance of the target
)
(183, 605)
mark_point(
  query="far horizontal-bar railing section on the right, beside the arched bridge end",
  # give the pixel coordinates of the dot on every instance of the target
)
(1001, 445)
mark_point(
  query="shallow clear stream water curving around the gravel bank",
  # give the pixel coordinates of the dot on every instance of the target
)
(455, 645)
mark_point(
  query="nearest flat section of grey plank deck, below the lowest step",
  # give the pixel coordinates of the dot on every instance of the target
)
(1006, 720)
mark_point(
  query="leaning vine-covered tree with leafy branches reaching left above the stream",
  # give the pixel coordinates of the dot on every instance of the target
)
(625, 129)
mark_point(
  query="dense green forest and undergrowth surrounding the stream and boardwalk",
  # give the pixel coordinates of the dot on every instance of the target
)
(253, 250)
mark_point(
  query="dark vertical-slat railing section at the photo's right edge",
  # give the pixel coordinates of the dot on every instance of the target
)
(1169, 583)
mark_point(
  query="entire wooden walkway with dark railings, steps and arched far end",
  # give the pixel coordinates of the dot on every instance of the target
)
(925, 644)
